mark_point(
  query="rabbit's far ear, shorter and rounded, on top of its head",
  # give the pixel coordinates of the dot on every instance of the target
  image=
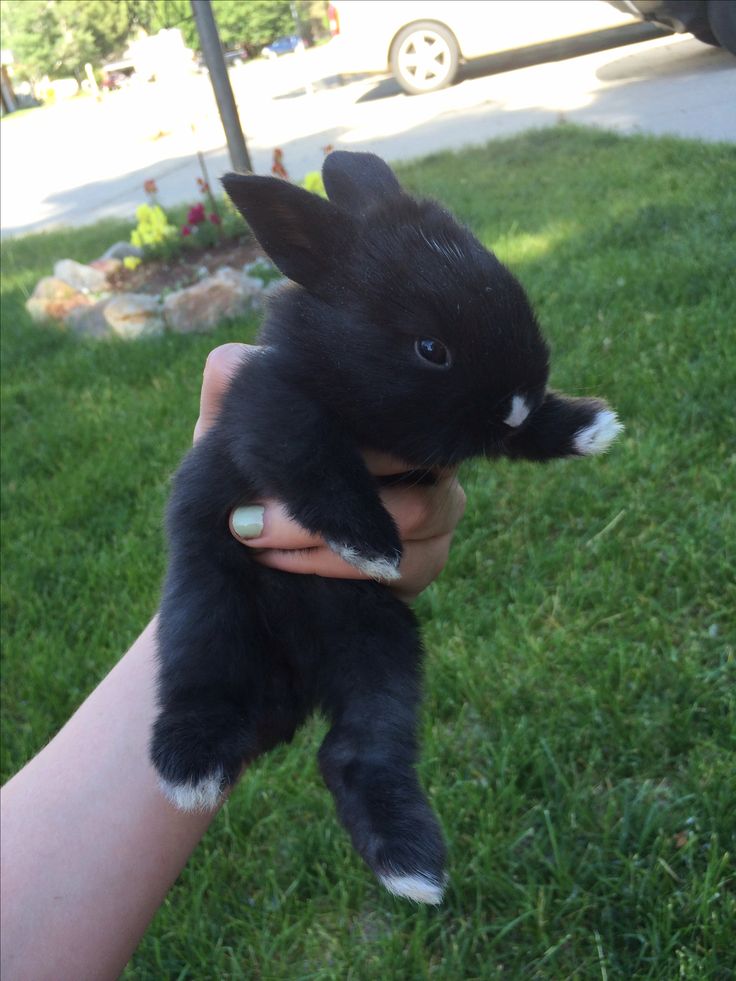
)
(357, 181)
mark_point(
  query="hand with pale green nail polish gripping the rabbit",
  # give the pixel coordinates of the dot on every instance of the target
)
(426, 516)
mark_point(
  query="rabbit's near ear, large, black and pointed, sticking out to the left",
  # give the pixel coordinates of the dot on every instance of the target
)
(303, 234)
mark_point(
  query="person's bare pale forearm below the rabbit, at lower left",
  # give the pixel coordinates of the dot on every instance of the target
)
(90, 846)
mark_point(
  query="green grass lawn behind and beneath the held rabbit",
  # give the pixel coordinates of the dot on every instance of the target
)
(579, 724)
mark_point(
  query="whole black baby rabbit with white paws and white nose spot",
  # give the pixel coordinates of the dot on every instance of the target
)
(399, 333)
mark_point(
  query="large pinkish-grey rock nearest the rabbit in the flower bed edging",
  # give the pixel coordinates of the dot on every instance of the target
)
(206, 304)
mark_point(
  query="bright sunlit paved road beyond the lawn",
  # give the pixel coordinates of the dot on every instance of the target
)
(82, 161)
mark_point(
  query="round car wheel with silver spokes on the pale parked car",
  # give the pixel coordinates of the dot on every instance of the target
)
(424, 57)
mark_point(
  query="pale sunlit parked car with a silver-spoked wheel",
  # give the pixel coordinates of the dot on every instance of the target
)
(423, 42)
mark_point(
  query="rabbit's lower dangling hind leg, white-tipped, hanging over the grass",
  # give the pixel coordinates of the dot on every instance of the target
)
(368, 758)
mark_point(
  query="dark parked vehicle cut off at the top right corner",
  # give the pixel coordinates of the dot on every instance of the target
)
(712, 21)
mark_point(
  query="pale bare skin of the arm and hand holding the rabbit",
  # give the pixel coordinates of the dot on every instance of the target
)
(90, 846)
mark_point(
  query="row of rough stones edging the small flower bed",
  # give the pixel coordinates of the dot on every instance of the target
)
(78, 298)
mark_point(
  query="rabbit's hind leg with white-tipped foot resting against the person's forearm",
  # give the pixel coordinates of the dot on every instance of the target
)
(210, 688)
